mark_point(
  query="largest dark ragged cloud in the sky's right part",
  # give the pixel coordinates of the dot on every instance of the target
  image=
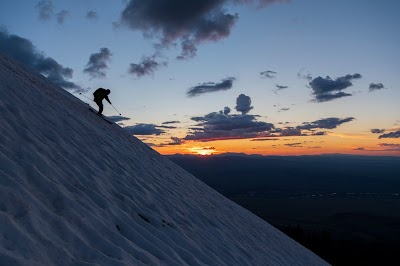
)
(326, 89)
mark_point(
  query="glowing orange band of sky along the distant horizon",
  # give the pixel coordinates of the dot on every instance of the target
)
(311, 145)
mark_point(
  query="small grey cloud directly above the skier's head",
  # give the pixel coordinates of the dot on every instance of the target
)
(98, 63)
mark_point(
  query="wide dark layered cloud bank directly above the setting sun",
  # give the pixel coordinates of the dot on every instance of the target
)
(218, 126)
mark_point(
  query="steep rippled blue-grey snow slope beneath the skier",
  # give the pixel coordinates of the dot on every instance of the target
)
(75, 190)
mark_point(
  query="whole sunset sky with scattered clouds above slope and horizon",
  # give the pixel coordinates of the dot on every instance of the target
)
(269, 77)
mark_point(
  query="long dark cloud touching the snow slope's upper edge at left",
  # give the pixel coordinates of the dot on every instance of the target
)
(23, 50)
